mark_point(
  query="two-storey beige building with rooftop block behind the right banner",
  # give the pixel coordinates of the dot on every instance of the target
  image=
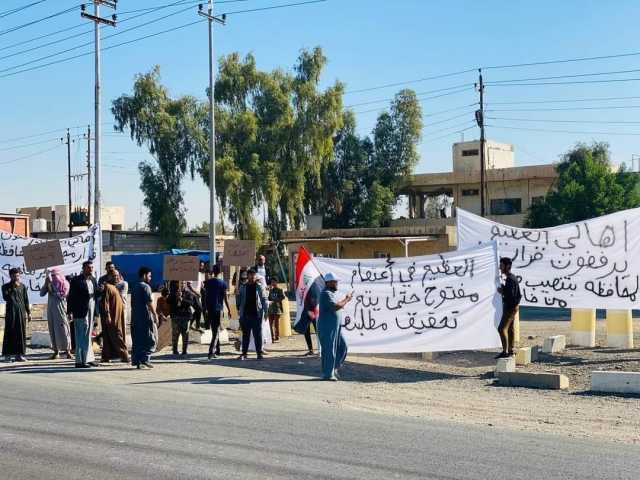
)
(510, 190)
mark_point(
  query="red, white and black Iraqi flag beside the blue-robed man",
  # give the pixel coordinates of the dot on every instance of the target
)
(309, 285)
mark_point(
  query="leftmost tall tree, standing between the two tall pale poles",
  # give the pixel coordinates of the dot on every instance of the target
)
(172, 129)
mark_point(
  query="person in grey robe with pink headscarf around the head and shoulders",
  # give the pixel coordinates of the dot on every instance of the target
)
(57, 287)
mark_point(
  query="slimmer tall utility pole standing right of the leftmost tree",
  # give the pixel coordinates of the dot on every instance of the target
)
(212, 142)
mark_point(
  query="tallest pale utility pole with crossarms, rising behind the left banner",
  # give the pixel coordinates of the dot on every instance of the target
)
(97, 20)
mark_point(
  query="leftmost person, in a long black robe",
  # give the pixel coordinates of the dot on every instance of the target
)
(15, 320)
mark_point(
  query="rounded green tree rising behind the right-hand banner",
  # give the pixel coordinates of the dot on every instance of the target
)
(587, 187)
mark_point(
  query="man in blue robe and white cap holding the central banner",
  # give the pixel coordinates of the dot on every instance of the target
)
(333, 347)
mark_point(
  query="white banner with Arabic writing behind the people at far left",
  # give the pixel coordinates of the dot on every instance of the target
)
(75, 250)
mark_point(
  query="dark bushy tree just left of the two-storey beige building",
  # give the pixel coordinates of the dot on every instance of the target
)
(362, 184)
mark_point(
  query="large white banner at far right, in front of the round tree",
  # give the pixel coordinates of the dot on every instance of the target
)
(589, 264)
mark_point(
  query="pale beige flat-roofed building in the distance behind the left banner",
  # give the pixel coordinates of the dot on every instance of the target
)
(56, 218)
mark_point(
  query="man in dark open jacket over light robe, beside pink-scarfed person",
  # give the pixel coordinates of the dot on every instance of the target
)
(81, 304)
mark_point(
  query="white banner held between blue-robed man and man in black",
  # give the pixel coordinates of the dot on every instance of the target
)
(420, 304)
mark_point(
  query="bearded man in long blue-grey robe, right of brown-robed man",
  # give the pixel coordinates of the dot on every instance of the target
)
(144, 332)
